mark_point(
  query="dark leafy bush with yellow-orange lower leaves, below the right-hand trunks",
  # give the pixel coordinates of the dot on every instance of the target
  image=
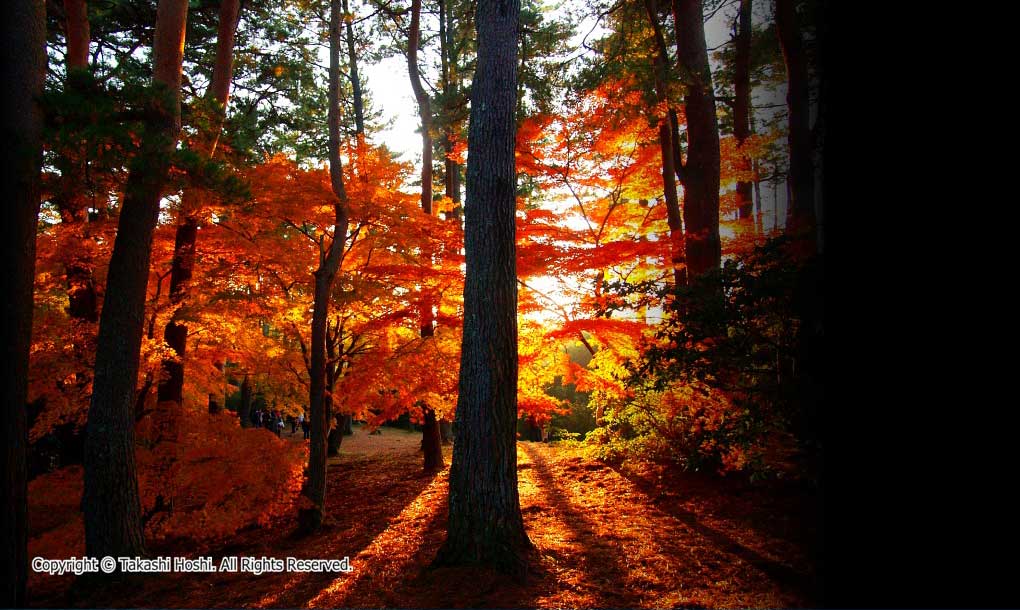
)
(718, 388)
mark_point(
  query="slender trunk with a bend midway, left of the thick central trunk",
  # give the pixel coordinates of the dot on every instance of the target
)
(311, 517)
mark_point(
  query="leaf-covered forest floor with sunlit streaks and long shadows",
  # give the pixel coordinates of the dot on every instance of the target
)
(603, 538)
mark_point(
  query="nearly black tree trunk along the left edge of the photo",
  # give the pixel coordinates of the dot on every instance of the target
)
(24, 40)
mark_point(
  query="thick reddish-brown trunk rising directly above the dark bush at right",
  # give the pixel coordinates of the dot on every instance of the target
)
(701, 172)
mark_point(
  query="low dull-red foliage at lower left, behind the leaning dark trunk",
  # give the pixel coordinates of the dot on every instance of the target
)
(228, 479)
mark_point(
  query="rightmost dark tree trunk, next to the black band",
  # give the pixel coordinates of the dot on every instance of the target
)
(801, 210)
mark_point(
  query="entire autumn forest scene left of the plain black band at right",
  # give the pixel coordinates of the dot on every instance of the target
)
(559, 344)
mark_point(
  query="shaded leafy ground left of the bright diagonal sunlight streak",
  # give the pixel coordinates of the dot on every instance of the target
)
(362, 501)
